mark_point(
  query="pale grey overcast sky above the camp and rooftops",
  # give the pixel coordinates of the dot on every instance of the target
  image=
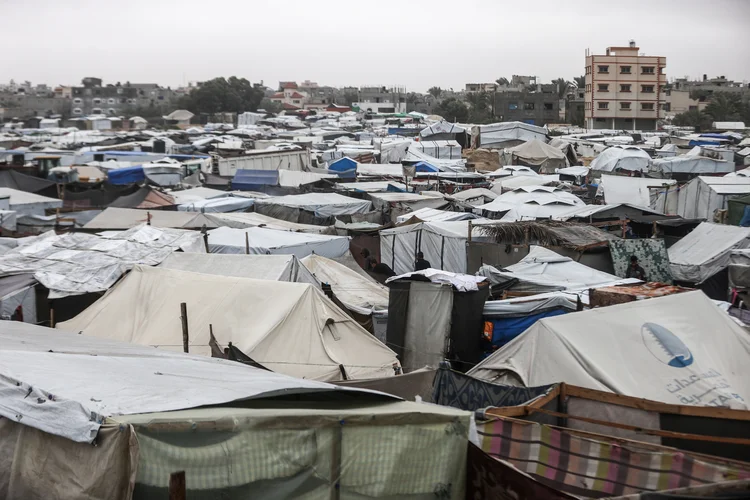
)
(412, 43)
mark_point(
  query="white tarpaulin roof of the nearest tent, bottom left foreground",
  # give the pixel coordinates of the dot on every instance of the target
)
(92, 378)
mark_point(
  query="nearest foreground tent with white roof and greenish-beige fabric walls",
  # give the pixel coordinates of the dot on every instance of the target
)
(108, 418)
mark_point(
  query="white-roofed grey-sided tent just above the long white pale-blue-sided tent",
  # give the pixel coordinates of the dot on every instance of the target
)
(311, 206)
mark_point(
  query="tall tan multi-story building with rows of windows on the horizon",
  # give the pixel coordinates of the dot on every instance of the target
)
(624, 89)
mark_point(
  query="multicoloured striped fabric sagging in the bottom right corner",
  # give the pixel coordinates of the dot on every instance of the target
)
(596, 469)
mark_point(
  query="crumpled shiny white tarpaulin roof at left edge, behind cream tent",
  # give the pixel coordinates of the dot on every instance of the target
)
(78, 263)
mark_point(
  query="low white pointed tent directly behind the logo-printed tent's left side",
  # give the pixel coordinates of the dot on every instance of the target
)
(544, 270)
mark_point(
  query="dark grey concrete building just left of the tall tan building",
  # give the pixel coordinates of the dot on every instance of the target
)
(537, 108)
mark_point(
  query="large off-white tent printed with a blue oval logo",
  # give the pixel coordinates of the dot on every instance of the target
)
(679, 349)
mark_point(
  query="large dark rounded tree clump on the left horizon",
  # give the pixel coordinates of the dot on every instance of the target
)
(224, 95)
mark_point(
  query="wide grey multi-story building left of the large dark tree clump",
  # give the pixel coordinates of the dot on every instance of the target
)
(93, 98)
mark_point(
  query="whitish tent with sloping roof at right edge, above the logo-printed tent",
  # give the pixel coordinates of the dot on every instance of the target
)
(705, 251)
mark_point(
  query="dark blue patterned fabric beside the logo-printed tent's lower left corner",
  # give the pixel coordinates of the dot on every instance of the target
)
(467, 393)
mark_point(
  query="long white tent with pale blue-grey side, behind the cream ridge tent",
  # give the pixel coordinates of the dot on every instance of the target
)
(258, 240)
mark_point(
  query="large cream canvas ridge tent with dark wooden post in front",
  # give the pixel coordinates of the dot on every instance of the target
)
(291, 328)
